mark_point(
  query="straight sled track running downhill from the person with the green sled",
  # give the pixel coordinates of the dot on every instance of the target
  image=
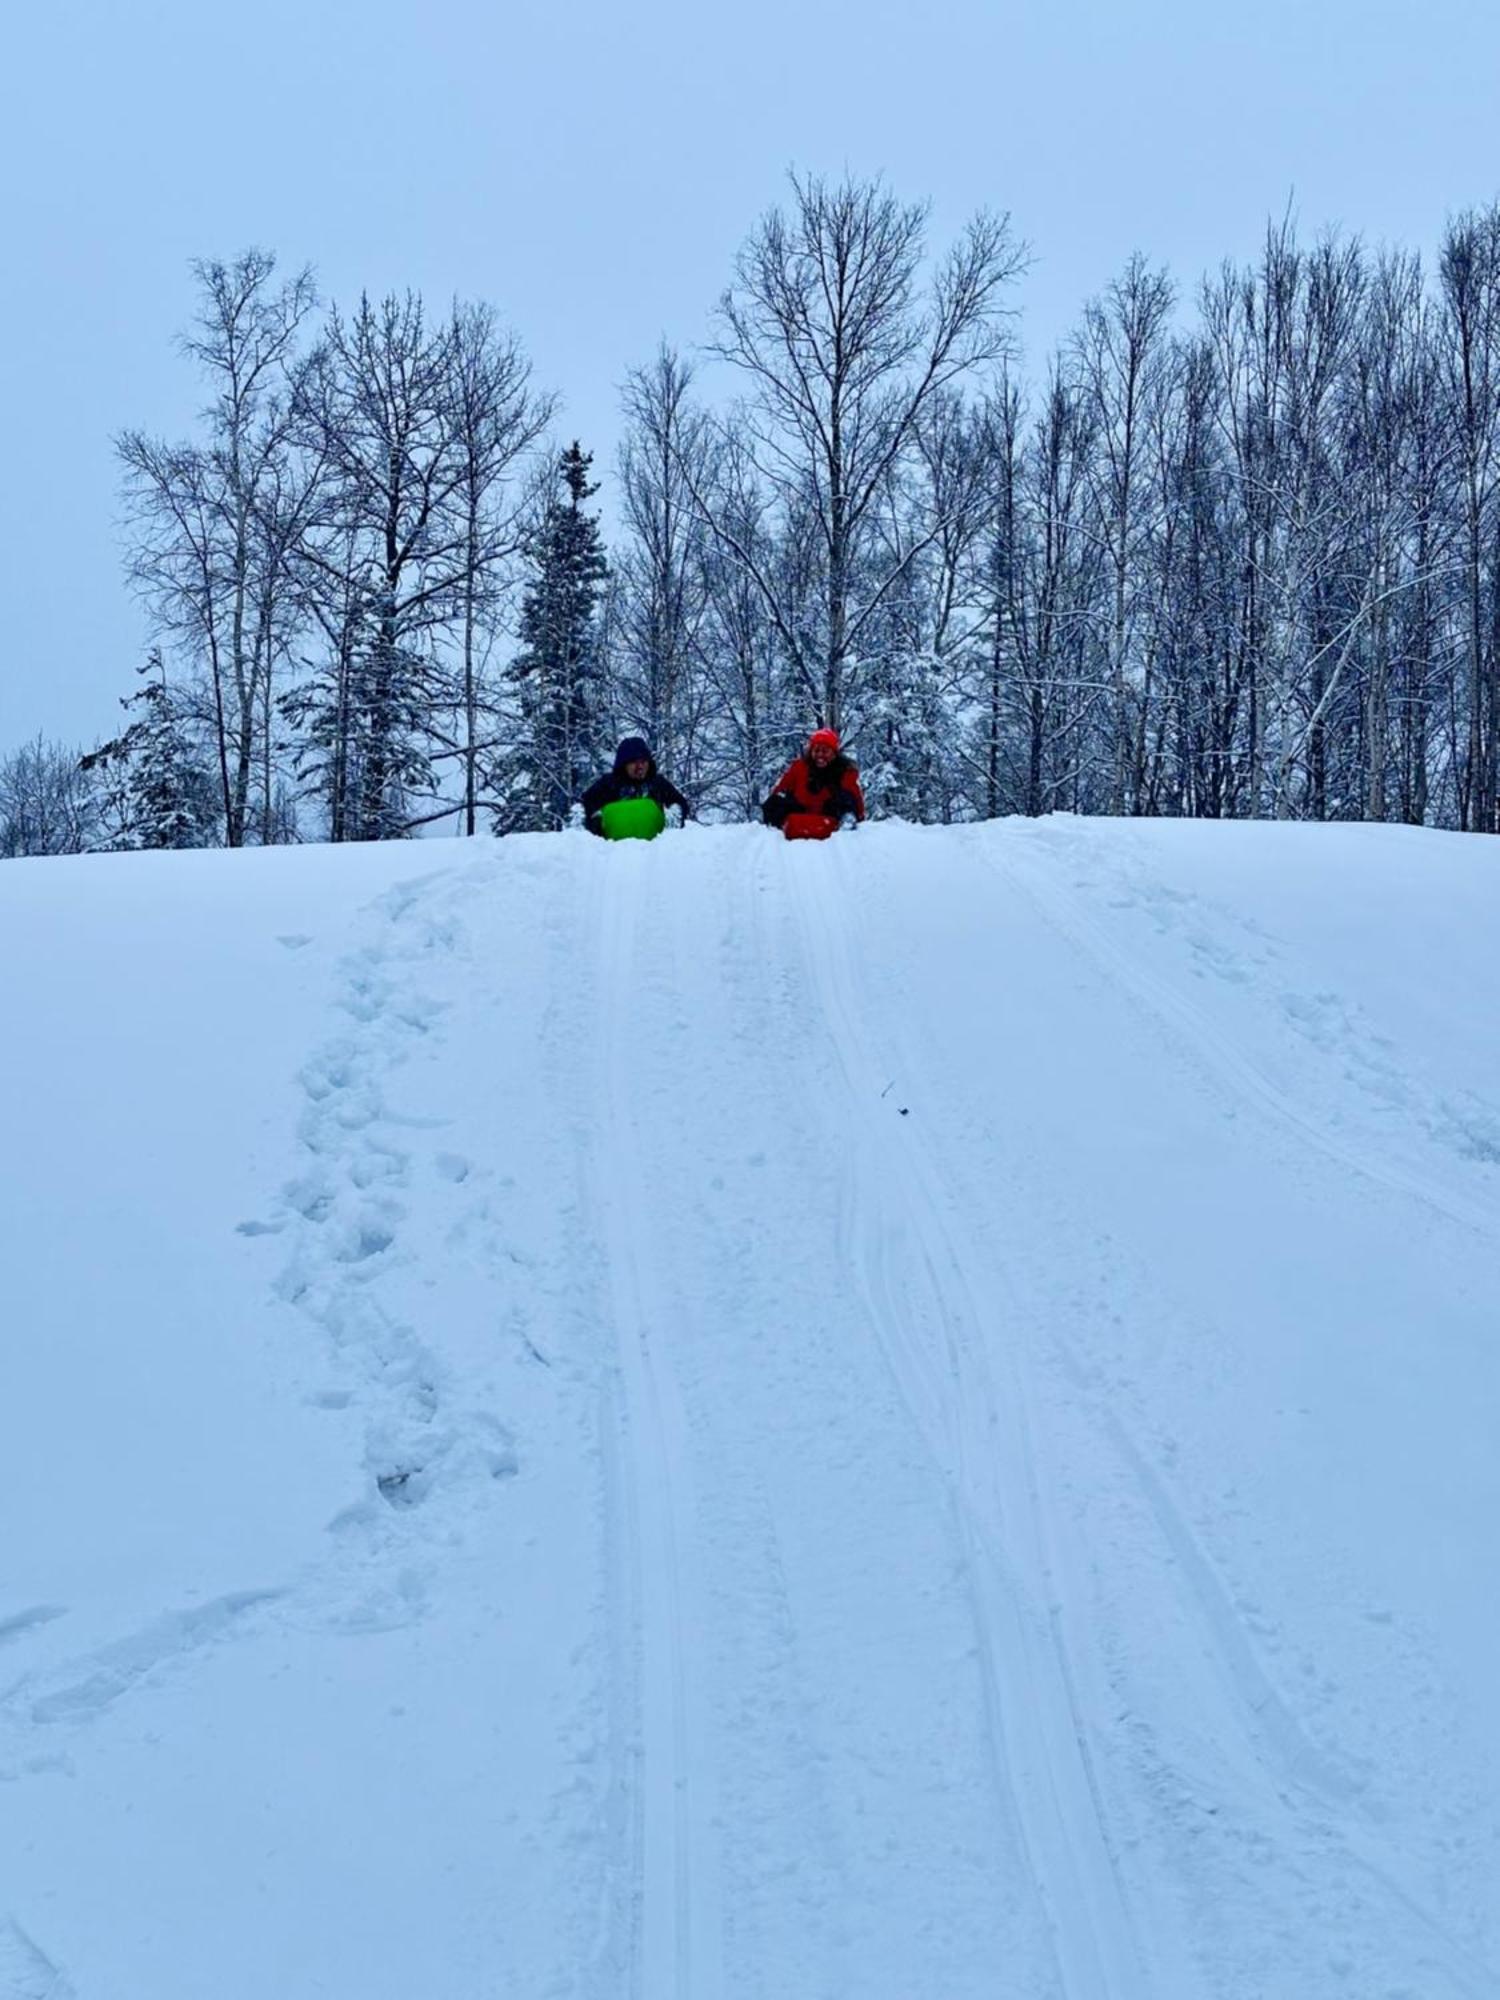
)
(673, 1925)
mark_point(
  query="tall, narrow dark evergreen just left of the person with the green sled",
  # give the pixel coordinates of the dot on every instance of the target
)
(557, 671)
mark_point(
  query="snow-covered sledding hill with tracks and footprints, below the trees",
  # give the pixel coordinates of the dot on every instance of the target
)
(721, 1419)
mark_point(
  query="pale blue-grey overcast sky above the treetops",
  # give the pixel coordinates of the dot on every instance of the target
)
(591, 169)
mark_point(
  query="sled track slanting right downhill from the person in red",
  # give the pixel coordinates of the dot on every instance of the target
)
(935, 1313)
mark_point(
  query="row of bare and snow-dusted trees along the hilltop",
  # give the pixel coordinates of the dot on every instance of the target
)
(1233, 551)
